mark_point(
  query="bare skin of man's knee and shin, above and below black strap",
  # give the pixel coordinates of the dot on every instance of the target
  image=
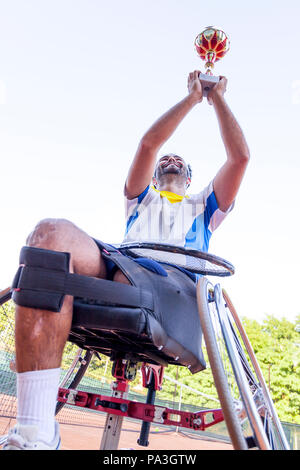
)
(41, 335)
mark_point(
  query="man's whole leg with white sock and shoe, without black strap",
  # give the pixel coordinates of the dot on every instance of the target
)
(41, 336)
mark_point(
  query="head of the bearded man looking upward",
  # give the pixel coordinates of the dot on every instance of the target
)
(172, 173)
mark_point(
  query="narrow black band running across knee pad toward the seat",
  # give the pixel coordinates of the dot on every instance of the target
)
(99, 290)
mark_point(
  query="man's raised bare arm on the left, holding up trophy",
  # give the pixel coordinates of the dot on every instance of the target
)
(142, 167)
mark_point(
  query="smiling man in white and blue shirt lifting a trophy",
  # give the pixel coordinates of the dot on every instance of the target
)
(160, 213)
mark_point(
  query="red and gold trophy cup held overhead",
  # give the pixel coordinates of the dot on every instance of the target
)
(211, 45)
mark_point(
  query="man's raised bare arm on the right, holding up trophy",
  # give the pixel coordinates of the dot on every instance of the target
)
(228, 179)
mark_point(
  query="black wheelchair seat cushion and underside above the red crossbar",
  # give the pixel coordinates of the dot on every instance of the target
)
(130, 333)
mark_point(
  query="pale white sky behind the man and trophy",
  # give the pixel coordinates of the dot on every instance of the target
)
(82, 80)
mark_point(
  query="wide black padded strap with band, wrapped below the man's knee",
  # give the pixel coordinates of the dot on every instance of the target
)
(43, 279)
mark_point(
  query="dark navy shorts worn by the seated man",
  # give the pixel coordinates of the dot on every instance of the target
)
(173, 323)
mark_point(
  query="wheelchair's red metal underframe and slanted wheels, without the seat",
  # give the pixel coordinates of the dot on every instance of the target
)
(253, 403)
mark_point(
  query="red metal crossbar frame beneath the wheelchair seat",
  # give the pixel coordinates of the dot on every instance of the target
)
(118, 407)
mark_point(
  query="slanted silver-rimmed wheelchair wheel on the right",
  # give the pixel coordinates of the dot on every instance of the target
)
(248, 409)
